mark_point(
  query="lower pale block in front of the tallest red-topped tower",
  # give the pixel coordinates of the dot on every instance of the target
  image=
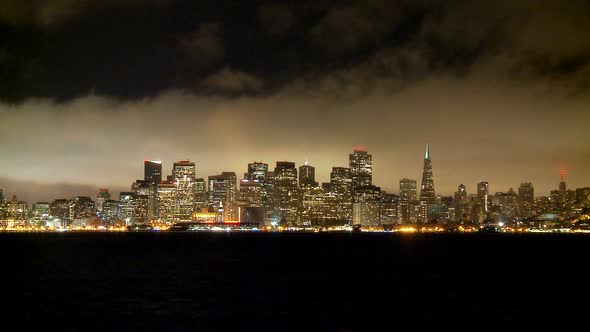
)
(366, 206)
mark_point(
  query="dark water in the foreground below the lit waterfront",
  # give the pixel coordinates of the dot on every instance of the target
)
(296, 282)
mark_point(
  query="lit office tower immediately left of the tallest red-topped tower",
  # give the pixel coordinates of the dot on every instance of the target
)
(338, 196)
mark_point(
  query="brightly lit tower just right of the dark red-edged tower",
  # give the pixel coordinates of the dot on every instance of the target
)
(183, 173)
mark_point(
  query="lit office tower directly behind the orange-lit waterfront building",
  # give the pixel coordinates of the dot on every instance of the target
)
(222, 196)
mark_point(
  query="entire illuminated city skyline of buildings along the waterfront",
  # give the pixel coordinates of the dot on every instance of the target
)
(290, 196)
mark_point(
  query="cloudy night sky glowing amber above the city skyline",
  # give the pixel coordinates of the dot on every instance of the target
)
(91, 88)
